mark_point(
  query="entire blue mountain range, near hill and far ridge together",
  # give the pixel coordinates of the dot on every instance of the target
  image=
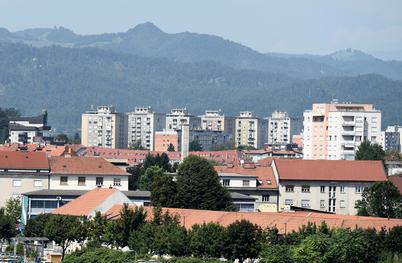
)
(66, 73)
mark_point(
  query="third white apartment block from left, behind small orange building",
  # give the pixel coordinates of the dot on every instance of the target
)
(179, 116)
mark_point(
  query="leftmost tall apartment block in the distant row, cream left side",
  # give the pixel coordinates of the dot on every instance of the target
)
(104, 127)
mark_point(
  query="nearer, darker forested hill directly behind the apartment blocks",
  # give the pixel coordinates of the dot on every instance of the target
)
(67, 81)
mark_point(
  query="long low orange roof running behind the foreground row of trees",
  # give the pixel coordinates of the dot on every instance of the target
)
(284, 221)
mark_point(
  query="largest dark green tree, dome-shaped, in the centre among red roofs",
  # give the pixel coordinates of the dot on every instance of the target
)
(198, 186)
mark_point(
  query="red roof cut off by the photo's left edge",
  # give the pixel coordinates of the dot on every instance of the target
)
(23, 160)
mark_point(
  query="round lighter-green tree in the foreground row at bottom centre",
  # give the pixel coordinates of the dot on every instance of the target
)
(207, 240)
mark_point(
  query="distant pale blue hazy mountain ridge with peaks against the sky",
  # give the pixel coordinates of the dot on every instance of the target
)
(148, 40)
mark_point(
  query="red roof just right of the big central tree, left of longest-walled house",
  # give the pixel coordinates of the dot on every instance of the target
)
(264, 174)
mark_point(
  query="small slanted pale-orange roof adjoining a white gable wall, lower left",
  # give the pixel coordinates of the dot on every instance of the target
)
(86, 203)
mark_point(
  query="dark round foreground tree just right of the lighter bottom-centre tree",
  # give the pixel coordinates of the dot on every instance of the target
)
(242, 241)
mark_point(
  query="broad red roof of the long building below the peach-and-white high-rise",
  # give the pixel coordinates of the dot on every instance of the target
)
(333, 170)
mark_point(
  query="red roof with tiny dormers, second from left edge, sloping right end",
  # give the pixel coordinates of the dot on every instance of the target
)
(83, 165)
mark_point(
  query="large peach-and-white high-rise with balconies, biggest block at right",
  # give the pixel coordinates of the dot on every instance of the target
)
(335, 130)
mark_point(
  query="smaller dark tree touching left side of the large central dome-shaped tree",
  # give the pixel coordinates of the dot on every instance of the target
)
(163, 191)
